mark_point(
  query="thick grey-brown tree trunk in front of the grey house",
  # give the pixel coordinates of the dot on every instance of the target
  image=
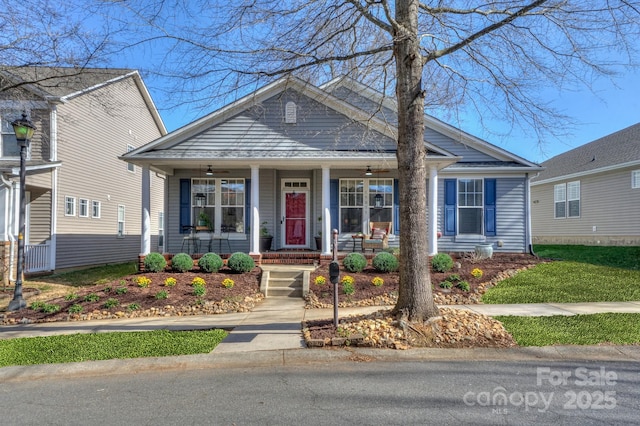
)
(415, 298)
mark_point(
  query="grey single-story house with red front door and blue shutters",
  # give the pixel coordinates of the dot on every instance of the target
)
(302, 160)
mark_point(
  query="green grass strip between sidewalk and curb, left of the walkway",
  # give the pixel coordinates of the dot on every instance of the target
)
(101, 346)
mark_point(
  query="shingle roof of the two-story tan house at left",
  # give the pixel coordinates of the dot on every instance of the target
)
(60, 81)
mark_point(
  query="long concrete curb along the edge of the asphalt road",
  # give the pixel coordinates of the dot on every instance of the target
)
(274, 358)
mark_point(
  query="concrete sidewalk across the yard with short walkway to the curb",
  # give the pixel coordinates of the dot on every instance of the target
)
(275, 323)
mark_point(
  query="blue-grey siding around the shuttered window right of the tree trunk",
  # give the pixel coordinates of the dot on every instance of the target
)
(510, 218)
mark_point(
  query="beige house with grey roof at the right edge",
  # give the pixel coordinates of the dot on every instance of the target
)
(591, 194)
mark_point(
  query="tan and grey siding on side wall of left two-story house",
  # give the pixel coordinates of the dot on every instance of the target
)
(94, 129)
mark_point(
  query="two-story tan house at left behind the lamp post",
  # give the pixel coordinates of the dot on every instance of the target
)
(83, 202)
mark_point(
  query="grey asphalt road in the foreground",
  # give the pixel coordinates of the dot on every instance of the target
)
(354, 393)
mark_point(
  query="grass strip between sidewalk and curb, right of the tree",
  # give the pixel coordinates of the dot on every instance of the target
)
(616, 328)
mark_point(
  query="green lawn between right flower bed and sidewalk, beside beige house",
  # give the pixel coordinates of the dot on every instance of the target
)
(567, 282)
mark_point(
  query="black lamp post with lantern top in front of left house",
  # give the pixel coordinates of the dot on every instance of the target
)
(23, 128)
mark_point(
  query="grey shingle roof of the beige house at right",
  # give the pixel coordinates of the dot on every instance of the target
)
(617, 148)
